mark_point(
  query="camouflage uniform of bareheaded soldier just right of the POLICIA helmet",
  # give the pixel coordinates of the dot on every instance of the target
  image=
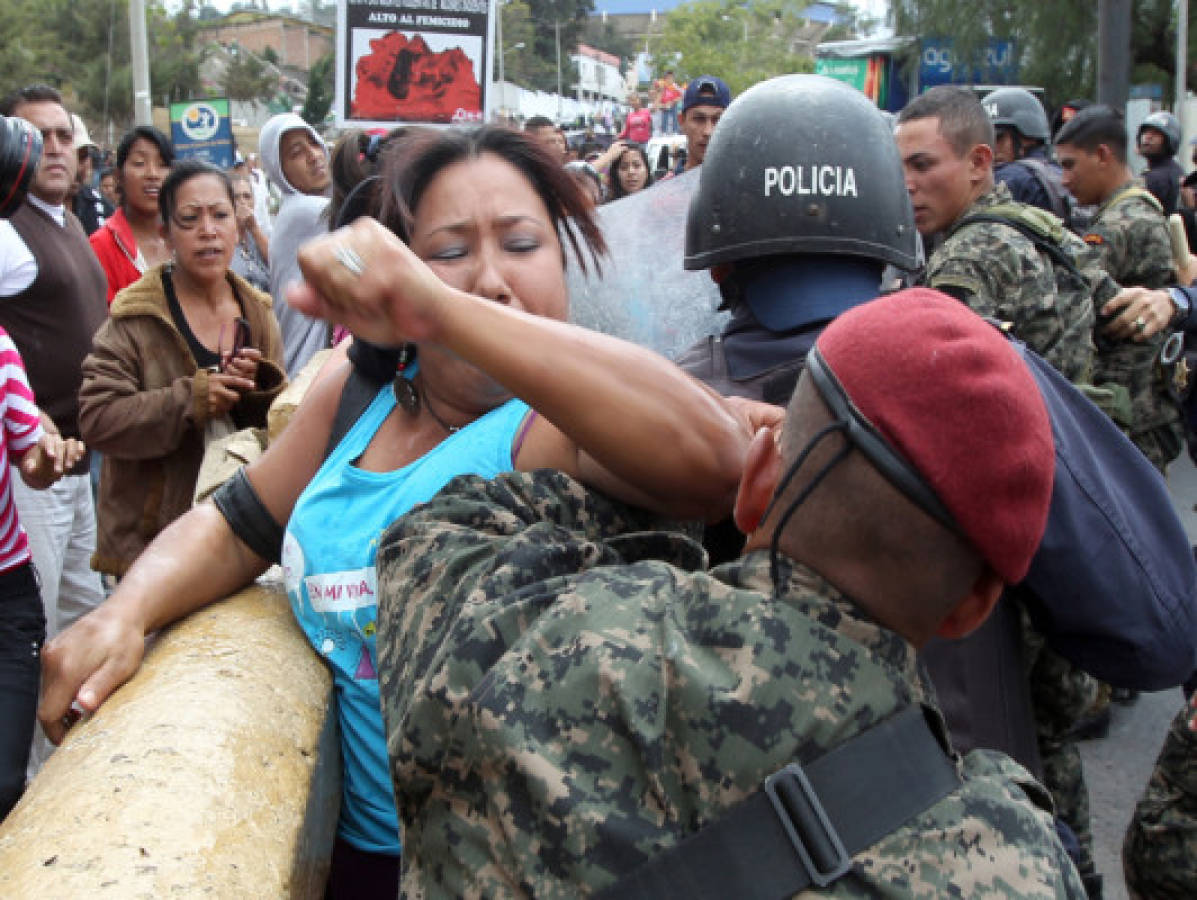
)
(1001, 275)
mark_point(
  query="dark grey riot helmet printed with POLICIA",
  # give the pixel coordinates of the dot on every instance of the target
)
(801, 166)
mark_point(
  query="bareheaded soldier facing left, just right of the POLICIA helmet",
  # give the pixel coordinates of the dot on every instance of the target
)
(946, 143)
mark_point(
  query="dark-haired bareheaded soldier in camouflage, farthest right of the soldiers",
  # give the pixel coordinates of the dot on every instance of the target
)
(1132, 236)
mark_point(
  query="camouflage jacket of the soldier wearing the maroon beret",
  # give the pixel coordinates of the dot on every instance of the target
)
(568, 692)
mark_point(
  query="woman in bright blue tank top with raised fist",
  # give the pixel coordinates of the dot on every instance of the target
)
(502, 384)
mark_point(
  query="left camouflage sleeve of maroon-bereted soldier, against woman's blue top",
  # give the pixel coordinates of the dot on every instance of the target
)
(481, 540)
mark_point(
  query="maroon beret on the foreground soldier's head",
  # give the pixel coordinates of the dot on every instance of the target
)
(955, 399)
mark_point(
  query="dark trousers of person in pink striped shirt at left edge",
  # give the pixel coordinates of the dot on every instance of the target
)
(22, 635)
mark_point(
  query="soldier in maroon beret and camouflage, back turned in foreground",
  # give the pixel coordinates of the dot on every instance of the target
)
(569, 695)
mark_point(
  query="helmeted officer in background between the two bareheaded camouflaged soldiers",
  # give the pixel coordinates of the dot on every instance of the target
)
(1020, 153)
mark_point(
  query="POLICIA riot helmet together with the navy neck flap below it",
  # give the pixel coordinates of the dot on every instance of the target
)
(801, 203)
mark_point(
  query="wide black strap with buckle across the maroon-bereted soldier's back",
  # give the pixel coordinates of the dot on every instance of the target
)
(807, 822)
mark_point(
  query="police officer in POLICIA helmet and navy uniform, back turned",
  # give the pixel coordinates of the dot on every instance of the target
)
(800, 211)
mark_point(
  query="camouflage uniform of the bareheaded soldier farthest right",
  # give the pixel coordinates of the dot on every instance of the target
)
(1132, 236)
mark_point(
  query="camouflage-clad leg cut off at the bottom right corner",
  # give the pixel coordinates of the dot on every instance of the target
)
(1160, 854)
